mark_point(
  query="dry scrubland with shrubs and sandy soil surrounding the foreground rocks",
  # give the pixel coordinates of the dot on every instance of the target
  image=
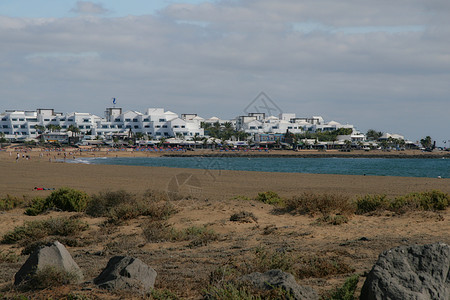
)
(200, 250)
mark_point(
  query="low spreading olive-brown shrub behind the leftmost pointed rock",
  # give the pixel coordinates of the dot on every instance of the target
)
(35, 230)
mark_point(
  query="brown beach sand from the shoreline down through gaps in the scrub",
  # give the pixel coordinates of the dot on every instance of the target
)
(216, 195)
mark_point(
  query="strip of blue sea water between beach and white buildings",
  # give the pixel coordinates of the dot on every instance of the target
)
(346, 166)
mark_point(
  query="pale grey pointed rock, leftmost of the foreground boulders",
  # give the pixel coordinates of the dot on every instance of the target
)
(54, 255)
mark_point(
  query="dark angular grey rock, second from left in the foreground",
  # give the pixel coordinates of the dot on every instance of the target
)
(126, 273)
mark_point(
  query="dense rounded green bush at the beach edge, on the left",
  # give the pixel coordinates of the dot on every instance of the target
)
(68, 199)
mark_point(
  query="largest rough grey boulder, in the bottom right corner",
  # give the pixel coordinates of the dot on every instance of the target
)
(410, 272)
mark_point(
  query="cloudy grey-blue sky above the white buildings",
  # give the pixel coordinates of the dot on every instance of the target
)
(382, 65)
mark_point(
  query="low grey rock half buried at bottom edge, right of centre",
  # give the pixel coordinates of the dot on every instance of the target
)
(279, 279)
